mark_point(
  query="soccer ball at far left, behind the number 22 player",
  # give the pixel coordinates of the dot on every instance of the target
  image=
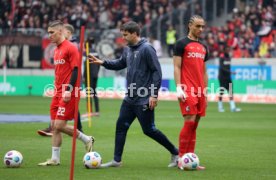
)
(13, 158)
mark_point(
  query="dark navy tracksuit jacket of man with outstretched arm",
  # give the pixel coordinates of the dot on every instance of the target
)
(143, 71)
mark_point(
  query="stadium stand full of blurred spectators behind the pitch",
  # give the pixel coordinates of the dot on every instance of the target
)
(249, 30)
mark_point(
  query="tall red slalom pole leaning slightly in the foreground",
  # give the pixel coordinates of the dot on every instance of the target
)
(77, 106)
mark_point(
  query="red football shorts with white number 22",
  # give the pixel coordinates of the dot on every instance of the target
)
(62, 110)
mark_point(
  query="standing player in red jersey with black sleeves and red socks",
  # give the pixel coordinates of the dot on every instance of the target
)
(191, 80)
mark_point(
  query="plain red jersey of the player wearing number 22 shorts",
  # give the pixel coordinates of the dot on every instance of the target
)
(66, 57)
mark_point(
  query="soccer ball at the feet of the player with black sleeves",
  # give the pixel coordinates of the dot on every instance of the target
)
(188, 161)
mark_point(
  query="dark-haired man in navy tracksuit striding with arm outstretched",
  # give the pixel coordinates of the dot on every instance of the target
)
(143, 82)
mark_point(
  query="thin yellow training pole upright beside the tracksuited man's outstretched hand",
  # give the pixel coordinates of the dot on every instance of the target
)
(89, 104)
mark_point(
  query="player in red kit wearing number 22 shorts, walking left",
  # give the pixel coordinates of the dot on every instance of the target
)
(67, 65)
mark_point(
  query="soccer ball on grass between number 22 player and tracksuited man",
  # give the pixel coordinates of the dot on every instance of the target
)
(92, 160)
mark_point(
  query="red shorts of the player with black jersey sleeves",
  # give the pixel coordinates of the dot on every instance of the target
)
(194, 104)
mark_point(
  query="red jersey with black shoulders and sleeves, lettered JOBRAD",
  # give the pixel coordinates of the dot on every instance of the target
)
(193, 54)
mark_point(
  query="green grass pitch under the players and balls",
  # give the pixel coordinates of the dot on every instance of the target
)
(231, 145)
